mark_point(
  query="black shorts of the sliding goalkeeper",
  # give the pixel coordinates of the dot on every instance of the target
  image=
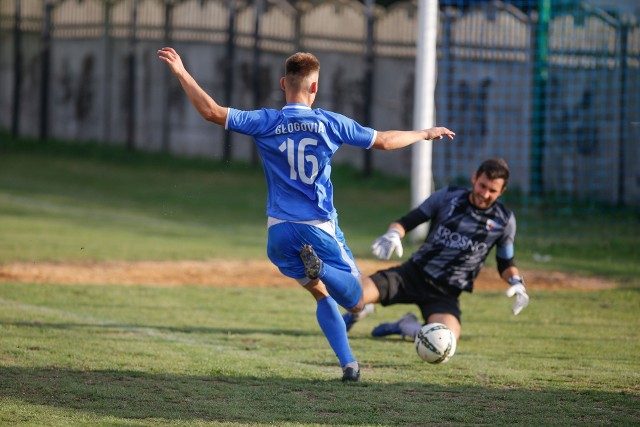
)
(406, 284)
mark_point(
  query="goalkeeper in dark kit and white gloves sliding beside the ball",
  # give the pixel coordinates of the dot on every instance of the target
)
(465, 225)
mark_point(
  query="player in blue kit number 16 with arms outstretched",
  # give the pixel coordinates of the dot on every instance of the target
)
(296, 145)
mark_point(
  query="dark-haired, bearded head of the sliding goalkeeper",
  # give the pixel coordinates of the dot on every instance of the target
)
(489, 182)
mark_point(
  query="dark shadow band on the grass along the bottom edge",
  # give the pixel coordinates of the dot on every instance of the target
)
(131, 395)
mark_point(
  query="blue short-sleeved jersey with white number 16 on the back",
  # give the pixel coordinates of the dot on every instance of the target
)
(296, 145)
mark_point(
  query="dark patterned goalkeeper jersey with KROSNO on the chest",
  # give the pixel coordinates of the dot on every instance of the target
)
(461, 236)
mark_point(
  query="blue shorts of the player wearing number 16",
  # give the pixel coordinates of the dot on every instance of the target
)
(285, 240)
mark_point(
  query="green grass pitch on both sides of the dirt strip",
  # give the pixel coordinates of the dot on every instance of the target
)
(142, 355)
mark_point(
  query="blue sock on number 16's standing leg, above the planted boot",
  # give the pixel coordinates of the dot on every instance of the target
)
(334, 329)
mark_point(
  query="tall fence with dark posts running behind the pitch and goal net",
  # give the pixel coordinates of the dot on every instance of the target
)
(554, 91)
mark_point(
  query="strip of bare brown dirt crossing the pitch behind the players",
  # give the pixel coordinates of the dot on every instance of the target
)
(242, 273)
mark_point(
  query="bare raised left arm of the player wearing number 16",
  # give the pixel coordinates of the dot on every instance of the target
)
(206, 106)
